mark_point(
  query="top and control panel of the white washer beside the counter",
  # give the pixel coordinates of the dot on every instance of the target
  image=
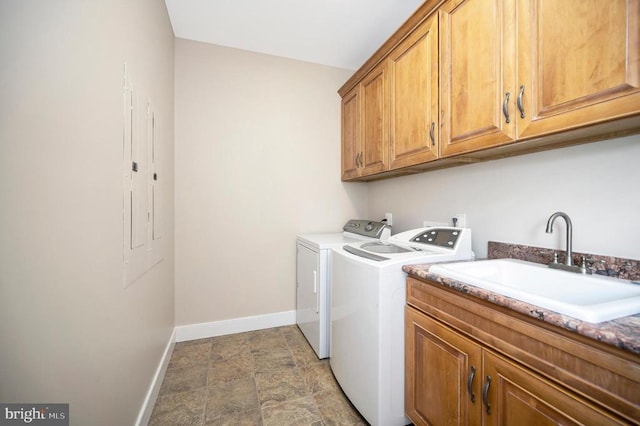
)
(435, 244)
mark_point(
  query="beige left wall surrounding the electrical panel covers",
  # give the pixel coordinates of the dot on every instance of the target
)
(69, 331)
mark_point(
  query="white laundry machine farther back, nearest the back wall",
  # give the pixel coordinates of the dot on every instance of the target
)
(313, 279)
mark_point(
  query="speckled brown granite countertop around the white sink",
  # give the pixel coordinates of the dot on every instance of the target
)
(623, 333)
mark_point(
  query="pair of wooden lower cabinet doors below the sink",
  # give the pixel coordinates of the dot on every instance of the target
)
(452, 379)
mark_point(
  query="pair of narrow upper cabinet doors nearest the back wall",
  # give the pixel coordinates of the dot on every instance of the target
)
(365, 127)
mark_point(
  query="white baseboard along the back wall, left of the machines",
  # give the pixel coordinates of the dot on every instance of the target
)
(236, 325)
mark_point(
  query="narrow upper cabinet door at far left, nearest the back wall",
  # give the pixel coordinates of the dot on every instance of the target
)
(351, 133)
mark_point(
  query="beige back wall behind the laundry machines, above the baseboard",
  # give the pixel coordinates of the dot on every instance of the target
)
(257, 163)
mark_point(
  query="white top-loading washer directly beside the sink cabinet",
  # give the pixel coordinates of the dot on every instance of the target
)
(368, 297)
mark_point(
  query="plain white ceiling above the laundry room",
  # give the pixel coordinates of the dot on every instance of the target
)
(339, 33)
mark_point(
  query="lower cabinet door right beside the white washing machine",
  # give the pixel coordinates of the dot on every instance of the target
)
(439, 369)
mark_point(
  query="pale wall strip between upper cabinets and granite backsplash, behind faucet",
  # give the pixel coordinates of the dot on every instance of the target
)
(510, 200)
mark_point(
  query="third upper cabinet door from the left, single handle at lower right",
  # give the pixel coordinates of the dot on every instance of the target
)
(413, 72)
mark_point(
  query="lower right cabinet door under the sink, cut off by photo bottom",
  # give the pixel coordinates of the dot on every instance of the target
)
(516, 396)
